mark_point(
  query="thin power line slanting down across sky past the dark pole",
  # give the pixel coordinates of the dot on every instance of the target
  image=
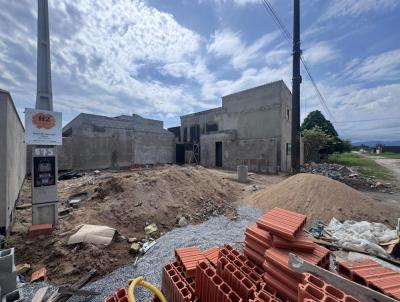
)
(288, 37)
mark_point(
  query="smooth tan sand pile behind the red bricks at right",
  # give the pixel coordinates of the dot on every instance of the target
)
(322, 198)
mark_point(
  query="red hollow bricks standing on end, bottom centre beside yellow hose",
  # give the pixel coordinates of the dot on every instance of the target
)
(219, 275)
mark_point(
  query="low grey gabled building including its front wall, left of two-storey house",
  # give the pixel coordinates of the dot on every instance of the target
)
(98, 142)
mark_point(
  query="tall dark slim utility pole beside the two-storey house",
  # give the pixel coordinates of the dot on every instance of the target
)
(295, 148)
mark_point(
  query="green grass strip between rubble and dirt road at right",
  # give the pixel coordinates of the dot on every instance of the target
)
(364, 165)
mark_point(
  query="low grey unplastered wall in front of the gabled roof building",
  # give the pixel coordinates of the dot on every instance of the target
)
(116, 148)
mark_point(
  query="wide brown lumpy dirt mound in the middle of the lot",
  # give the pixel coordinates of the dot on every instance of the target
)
(130, 202)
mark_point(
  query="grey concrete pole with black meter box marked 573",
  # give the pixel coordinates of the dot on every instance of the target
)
(44, 158)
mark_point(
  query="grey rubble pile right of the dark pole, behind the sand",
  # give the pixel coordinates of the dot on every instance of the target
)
(348, 176)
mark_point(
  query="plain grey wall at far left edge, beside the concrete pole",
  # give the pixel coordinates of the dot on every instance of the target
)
(12, 159)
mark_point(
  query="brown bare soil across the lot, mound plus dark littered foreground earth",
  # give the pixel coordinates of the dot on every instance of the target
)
(127, 201)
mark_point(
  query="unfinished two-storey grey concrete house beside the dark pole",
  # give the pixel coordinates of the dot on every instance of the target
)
(253, 127)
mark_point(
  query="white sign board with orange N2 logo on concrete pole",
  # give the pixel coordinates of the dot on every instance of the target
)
(43, 127)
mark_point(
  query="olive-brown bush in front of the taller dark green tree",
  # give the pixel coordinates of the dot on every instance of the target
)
(316, 142)
